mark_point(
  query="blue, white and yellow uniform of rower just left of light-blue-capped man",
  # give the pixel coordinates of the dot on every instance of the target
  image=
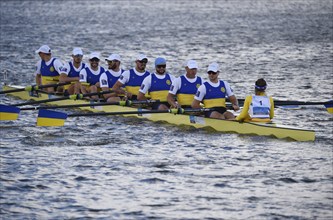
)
(132, 81)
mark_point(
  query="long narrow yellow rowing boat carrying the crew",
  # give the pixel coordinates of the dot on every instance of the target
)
(248, 128)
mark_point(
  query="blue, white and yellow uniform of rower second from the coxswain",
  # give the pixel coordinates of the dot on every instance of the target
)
(185, 89)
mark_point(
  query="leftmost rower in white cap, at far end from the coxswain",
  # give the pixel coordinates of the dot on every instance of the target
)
(48, 68)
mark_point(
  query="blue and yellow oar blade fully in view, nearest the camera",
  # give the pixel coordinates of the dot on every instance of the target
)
(51, 118)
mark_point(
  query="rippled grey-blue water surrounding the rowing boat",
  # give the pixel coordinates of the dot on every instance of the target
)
(125, 168)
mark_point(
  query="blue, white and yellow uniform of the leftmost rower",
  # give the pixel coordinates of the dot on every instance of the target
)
(50, 71)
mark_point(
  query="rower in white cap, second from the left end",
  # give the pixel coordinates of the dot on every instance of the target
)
(71, 71)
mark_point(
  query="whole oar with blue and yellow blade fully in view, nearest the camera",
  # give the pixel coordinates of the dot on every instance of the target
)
(54, 118)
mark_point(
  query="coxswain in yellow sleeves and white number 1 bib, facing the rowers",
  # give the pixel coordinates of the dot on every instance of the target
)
(258, 107)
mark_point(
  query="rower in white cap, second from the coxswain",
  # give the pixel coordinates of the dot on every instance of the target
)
(185, 87)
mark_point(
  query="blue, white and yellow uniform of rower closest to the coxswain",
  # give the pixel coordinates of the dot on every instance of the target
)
(213, 95)
